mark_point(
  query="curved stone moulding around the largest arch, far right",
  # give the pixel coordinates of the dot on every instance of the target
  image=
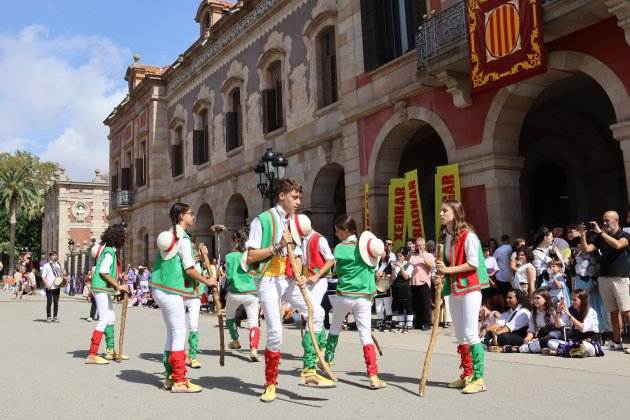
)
(511, 104)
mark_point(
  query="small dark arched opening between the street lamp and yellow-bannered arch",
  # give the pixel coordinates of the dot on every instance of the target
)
(328, 199)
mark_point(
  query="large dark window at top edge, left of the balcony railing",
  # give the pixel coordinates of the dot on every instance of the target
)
(389, 28)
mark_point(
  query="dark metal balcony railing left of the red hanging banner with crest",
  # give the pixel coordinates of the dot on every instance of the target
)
(441, 33)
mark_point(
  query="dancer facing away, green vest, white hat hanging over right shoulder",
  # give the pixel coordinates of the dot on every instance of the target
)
(355, 290)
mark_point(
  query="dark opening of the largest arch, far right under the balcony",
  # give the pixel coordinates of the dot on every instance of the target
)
(573, 166)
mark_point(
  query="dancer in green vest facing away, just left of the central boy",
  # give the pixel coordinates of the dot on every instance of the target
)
(241, 290)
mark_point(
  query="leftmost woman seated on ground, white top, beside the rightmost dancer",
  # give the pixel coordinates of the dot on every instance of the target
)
(511, 328)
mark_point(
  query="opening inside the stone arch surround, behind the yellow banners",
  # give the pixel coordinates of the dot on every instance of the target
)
(411, 145)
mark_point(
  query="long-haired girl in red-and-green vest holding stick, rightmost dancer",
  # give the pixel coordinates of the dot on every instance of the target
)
(464, 274)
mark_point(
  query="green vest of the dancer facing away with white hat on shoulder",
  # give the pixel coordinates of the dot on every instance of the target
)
(356, 278)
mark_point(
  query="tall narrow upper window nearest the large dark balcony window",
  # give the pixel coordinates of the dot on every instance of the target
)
(326, 52)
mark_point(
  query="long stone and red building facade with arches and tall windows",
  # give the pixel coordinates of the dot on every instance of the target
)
(340, 89)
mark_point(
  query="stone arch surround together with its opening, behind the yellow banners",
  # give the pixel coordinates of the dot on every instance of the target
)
(405, 132)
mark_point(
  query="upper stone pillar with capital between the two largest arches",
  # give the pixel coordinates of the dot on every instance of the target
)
(501, 177)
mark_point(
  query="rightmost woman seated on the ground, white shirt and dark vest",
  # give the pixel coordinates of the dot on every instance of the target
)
(583, 321)
